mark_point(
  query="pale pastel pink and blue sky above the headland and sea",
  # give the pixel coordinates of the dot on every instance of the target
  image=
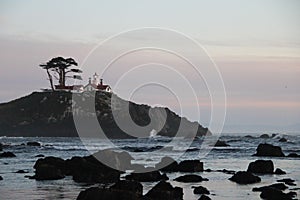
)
(255, 44)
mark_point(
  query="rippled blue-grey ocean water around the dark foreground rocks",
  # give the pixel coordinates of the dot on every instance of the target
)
(235, 157)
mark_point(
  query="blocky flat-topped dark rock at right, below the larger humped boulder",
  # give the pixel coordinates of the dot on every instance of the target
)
(261, 167)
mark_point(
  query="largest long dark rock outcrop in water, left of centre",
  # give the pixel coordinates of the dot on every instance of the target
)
(83, 169)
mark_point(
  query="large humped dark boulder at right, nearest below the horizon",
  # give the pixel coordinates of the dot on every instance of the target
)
(268, 150)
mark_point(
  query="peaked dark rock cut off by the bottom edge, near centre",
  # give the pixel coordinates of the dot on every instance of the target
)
(165, 191)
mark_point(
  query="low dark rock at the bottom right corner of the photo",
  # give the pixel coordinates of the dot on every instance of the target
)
(275, 194)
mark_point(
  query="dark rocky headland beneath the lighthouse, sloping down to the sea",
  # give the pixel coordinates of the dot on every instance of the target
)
(51, 114)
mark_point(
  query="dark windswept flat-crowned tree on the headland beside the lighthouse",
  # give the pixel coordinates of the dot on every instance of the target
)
(59, 68)
